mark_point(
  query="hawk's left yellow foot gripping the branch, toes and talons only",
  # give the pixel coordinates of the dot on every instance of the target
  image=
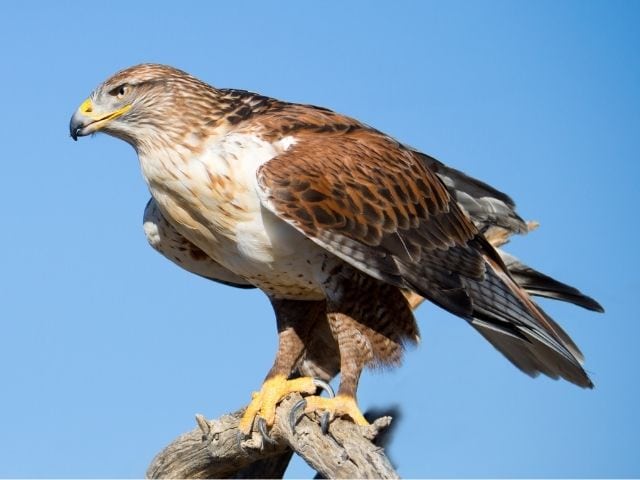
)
(263, 403)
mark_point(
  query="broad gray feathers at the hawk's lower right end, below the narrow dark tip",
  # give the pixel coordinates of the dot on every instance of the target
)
(521, 331)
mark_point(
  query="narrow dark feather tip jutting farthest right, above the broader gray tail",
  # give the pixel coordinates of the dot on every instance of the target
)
(541, 285)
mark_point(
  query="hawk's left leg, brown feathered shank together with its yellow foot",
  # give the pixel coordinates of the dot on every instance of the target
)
(295, 320)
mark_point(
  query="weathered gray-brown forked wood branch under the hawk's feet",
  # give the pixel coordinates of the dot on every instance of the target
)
(215, 449)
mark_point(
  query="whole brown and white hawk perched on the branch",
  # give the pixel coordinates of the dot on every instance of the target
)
(342, 226)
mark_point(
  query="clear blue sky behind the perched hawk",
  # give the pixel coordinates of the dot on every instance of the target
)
(107, 350)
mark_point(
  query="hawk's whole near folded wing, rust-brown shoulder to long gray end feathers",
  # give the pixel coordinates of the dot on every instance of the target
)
(373, 203)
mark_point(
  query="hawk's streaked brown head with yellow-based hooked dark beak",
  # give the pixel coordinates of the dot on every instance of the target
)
(142, 104)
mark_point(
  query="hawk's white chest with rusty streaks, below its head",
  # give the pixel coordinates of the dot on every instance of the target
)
(211, 196)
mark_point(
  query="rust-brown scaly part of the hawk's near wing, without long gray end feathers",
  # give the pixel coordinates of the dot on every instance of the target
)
(369, 201)
